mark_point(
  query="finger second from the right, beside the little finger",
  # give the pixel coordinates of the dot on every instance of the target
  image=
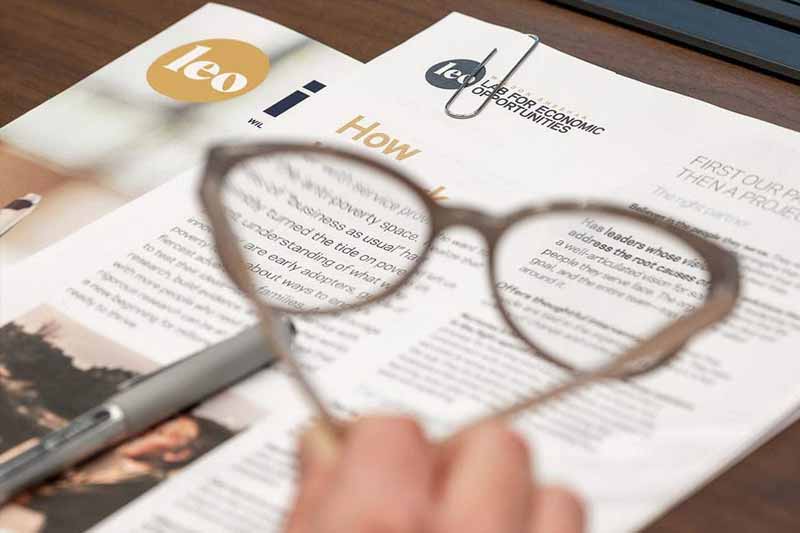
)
(486, 484)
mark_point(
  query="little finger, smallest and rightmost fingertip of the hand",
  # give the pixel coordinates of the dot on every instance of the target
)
(557, 510)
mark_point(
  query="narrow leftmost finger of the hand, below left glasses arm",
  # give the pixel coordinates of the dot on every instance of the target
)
(318, 457)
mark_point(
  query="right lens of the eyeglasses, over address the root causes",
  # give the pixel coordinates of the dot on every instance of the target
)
(587, 286)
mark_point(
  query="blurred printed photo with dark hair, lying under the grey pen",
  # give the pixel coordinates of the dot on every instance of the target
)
(53, 369)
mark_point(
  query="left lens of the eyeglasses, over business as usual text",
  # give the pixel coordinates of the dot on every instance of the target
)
(321, 232)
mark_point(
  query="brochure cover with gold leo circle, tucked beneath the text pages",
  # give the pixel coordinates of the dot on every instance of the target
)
(151, 113)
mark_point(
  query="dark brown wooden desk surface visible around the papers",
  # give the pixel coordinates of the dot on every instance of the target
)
(47, 45)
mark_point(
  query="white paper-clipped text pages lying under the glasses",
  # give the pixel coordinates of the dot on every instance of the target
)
(631, 449)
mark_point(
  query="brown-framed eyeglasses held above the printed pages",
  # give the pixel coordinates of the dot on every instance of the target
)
(599, 290)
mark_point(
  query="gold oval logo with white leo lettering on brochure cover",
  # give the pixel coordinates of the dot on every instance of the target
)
(209, 71)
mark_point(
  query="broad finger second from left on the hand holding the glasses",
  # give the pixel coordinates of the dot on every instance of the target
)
(383, 480)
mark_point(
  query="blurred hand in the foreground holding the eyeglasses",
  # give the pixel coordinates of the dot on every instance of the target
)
(387, 477)
